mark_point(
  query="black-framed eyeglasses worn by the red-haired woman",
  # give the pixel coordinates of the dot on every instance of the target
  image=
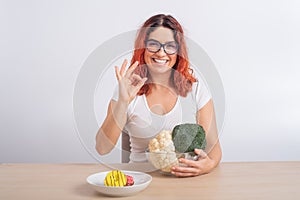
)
(169, 47)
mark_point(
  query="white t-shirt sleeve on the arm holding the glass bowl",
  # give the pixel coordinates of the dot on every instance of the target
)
(201, 93)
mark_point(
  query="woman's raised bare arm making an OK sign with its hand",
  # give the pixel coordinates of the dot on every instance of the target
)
(129, 84)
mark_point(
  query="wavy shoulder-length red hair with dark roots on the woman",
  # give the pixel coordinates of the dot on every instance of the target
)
(182, 75)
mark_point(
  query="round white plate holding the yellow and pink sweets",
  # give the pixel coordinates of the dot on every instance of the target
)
(141, 181)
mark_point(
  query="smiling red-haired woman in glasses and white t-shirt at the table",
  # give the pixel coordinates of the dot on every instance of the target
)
(150, 94)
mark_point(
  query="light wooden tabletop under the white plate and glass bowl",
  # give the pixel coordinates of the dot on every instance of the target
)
(259, 180)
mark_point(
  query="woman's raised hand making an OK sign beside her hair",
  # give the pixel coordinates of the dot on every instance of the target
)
(129, 82)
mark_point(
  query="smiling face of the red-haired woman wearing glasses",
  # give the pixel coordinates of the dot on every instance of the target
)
(160, 61)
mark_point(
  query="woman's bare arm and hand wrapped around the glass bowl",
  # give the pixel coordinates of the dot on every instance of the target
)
(212, 155)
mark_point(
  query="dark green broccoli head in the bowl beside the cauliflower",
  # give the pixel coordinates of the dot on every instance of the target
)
(187, 137)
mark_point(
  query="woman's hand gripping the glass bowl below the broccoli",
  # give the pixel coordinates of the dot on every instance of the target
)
(203, 165)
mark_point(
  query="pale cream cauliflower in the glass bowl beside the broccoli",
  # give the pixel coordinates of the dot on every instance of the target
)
(162, 151)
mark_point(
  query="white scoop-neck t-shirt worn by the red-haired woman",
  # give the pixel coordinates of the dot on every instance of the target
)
(143, 125)
